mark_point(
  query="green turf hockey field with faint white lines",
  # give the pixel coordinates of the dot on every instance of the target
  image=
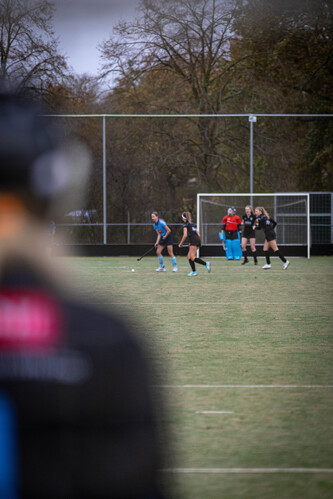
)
(244, 361)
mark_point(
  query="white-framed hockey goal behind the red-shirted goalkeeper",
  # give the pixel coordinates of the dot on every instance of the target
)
(291, 211)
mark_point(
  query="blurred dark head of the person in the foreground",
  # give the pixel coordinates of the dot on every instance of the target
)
(38, 165)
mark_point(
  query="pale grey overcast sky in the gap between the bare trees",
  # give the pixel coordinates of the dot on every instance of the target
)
(81, 25)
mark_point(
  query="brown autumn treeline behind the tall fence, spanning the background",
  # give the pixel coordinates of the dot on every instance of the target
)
(191, 57)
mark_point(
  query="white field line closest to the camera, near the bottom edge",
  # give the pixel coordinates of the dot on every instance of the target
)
(248, 470)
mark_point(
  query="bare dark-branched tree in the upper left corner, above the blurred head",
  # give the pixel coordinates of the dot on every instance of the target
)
(28, 48)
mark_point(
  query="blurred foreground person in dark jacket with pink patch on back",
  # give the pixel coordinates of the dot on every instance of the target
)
(76, 414)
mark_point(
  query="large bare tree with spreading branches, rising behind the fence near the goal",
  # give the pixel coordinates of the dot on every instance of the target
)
(190, 40)
